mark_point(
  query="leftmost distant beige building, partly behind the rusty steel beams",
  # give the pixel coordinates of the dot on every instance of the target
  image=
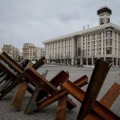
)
(11, 51)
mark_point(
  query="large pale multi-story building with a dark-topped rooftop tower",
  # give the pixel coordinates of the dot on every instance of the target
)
(84, 47)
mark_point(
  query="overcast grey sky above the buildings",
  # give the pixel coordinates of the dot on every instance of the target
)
(34, 21)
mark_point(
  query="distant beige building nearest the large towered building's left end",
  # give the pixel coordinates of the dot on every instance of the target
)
(31, 52)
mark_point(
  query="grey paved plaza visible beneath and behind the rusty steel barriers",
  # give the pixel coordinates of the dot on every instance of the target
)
(7, 112)
